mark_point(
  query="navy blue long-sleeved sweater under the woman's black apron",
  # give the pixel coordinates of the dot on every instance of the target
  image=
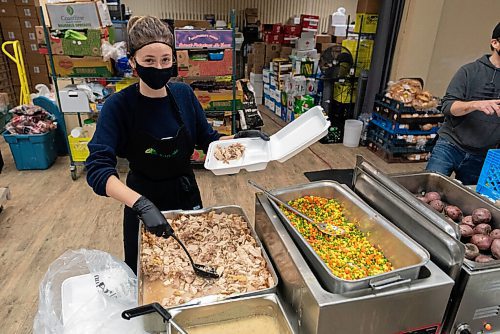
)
(128, 110)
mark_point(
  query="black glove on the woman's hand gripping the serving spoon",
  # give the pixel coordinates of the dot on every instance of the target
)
(152, 217)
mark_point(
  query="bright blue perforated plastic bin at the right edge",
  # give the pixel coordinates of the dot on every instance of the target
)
(489, 180)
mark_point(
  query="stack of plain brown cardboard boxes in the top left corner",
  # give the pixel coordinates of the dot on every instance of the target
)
(18, 21)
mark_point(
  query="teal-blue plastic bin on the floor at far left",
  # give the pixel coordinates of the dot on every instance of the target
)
(32, 151)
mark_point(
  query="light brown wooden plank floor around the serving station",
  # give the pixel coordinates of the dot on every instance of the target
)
(49, 214)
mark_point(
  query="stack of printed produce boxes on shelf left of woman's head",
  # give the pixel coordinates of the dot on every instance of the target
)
(77, 32)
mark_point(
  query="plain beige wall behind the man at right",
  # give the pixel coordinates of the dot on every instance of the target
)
(438, 36)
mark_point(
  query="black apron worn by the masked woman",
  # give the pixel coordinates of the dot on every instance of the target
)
(160, 170)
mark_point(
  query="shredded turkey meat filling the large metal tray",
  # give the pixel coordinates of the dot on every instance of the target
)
(223, 241)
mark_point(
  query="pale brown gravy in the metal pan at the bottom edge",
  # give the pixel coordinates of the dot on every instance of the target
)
(249, 325)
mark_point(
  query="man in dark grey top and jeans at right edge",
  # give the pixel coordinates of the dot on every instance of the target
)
(472, 123)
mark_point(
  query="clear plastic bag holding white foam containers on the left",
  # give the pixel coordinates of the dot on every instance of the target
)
(85, 291)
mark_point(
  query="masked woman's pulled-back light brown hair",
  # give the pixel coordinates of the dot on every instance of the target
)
(144, 30)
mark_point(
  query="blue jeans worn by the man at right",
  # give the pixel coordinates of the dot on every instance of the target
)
(447, 158)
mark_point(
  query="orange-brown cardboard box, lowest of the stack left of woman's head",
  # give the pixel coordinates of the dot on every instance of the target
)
(67, 66)
